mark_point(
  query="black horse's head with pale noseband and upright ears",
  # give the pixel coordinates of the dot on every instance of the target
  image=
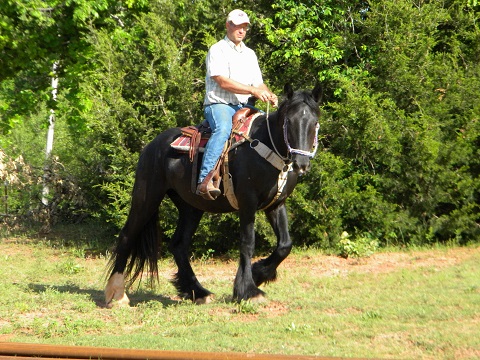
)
(300, 113)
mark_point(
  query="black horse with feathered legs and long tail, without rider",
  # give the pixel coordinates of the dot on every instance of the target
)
(291, 132)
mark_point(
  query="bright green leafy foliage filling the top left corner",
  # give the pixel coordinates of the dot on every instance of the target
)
(34, 35)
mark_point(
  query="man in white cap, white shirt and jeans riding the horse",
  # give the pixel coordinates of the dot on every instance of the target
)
(233, 75)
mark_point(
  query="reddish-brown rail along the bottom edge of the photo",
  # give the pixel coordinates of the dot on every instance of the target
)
(23, 351)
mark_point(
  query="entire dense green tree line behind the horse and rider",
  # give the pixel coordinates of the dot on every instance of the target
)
(400, 129)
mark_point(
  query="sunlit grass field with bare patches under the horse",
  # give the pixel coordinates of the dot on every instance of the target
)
(415, 304)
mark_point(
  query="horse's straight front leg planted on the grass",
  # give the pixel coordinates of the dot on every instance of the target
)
(244, 286)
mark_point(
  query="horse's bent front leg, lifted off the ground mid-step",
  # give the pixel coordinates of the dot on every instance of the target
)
(265, 270)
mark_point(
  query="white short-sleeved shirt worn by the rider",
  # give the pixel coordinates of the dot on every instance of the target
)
(238, 63)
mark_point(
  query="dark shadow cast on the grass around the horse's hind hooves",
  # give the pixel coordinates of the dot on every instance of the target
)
(97, 296)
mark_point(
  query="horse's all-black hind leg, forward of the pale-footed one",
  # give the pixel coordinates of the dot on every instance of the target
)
(185, 280)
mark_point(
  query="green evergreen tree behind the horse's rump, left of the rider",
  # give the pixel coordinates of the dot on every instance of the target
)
(141, 86)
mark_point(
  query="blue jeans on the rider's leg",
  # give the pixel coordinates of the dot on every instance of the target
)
(219, 117)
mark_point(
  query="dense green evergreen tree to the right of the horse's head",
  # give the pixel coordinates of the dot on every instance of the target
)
(403, 123)
